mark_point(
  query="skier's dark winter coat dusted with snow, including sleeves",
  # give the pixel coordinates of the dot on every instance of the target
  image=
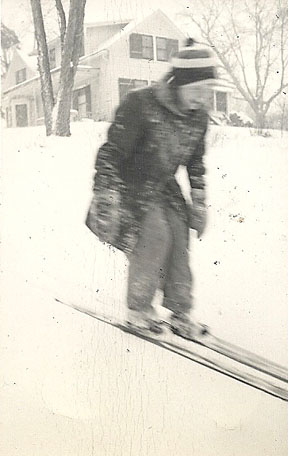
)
(149, 138)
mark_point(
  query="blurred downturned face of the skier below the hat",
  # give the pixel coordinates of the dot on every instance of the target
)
(193, 96)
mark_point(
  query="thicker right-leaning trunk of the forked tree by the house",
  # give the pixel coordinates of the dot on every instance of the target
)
(70, 59)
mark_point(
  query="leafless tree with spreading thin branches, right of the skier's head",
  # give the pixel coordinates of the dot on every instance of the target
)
(250, 40)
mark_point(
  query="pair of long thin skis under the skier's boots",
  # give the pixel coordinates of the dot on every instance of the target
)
(214, 353)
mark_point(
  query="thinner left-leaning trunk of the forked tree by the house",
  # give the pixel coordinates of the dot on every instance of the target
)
(43, 64)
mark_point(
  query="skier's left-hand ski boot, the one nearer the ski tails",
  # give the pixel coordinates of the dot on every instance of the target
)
(144, 321)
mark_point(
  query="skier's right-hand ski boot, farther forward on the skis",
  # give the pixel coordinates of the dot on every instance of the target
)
(182, 325)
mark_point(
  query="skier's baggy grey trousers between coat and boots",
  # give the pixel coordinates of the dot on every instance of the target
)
(160, 259)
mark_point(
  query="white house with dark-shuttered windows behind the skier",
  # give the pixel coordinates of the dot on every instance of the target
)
(116, 57)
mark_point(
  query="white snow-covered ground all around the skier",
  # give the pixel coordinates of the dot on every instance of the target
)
(72, 386)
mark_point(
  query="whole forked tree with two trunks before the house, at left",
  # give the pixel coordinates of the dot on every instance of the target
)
(57, 114)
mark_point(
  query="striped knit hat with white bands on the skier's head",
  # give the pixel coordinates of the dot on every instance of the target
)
(193, 63)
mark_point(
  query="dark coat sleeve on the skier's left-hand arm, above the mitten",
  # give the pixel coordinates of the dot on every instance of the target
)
(123, 136)
